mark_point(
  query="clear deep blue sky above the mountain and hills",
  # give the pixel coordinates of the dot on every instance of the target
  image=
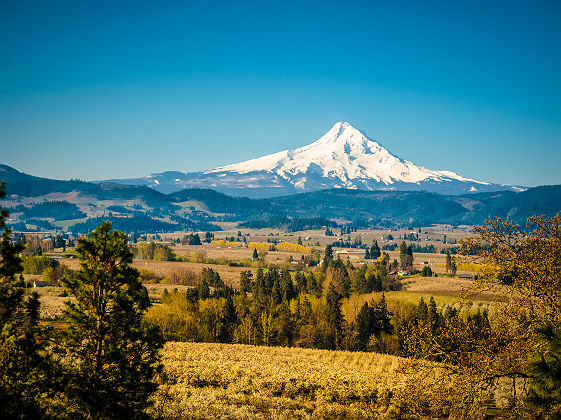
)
(119, 89)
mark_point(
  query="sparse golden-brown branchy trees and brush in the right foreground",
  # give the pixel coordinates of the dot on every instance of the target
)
(517, 351)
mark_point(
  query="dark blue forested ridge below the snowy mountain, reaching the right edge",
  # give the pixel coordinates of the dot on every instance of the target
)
(384, 207)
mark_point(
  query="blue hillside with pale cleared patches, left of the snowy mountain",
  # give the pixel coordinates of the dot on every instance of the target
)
(38, 203)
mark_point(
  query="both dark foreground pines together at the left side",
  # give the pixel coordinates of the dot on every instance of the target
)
(103, 363)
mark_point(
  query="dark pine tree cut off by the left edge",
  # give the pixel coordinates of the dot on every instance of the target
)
(22, 360)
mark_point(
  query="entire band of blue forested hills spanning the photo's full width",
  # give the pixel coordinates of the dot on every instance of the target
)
(195, 208)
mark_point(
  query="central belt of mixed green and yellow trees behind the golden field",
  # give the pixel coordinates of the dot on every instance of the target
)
(277, 307)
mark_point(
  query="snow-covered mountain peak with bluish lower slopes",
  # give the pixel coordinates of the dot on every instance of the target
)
(342, 158)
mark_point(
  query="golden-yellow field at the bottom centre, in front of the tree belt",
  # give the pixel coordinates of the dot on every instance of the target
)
(209, 380)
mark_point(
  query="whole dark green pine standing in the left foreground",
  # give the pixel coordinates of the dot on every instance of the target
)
(110, 354)
